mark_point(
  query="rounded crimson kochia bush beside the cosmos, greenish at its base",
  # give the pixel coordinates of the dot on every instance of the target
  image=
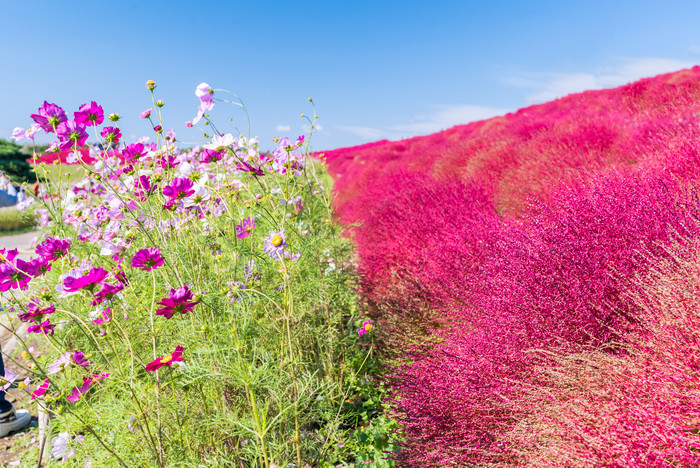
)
(430, 233)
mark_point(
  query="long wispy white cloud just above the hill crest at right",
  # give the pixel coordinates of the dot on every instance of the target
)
(553, 85)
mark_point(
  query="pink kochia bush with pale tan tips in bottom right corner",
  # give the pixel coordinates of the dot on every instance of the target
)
(639, 407)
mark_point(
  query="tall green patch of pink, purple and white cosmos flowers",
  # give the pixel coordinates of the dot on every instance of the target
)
(189, 307)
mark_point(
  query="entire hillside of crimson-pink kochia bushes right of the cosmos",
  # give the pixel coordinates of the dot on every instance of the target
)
(534, 280)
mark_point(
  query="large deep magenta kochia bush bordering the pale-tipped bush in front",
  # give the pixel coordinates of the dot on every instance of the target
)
(554, 280)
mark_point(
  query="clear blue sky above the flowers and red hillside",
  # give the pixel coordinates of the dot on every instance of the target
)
(376, 69)
